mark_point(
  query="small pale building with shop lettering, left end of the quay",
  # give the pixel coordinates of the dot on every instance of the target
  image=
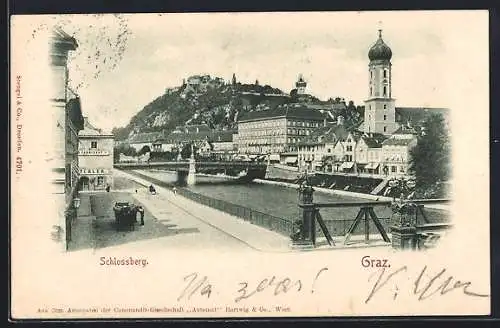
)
(95, 157)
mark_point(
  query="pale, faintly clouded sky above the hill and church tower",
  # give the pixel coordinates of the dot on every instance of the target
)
(139, 55)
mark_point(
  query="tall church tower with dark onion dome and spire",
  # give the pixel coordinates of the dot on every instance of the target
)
(380, 110)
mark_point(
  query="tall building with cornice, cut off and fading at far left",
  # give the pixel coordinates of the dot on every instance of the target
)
(67, 120)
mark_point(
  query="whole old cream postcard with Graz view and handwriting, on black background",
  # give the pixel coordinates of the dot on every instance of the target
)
(239, 165)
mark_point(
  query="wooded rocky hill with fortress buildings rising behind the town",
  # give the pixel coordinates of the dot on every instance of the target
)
(211, 100)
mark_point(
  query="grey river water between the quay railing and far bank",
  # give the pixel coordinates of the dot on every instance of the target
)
(277, 200)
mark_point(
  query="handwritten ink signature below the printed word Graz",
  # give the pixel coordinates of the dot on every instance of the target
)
(424, 289)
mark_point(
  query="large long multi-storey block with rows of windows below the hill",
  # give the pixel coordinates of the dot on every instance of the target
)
(278, 130)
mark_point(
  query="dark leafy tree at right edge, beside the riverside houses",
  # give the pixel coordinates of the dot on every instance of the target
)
(430, 158)
